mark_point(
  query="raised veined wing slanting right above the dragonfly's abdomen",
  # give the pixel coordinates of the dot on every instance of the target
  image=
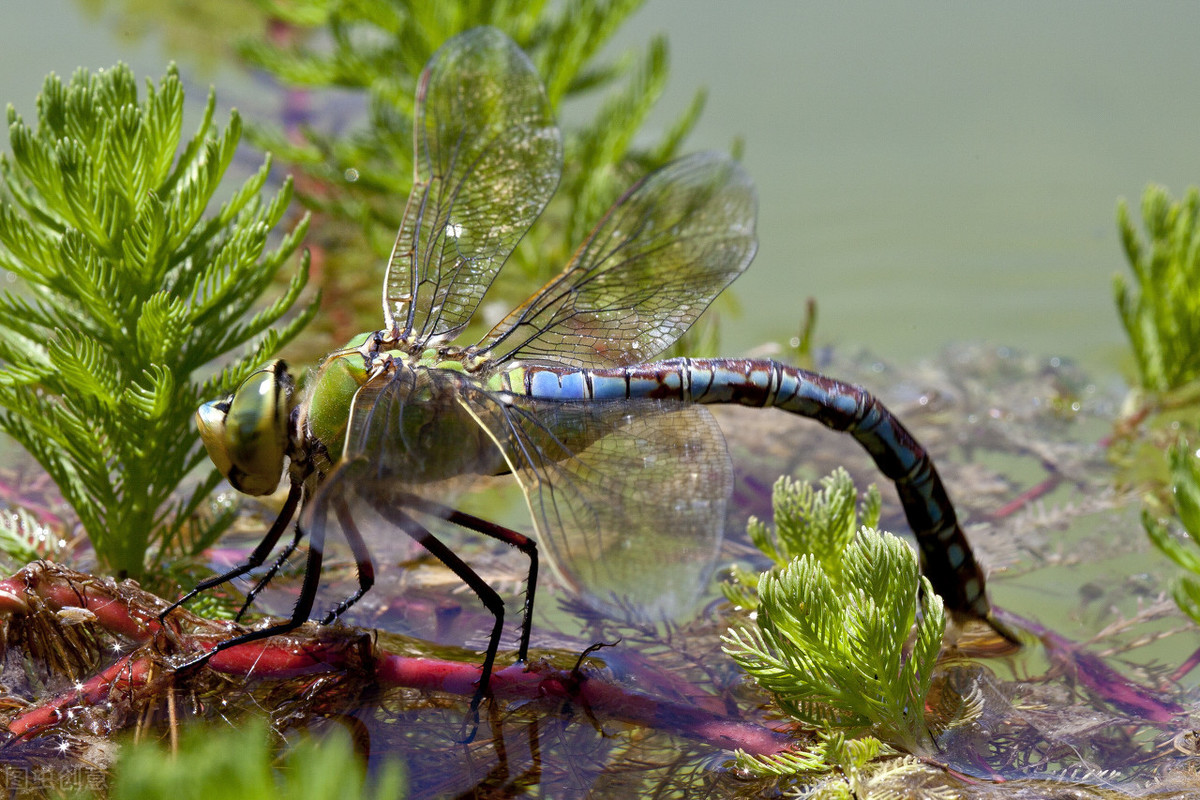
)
(650, 269)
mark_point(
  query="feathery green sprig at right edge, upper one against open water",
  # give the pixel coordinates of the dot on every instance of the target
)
(1161, 314)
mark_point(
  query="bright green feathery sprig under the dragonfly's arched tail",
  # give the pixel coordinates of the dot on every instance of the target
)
(832, 628)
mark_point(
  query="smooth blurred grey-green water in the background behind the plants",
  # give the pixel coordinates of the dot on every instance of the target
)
(932, 173)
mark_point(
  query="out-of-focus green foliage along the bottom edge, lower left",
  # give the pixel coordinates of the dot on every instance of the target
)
(239, 762)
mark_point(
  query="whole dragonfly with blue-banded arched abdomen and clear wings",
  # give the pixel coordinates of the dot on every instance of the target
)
(625, 473)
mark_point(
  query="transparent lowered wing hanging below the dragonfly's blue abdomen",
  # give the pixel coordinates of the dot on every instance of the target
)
(628, 498)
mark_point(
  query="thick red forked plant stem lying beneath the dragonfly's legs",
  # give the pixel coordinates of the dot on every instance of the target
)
(284, 658)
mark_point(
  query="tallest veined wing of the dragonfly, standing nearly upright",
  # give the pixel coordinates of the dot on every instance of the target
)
(488, 160)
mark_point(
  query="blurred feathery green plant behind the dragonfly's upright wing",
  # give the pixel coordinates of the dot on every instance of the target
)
(379, 50)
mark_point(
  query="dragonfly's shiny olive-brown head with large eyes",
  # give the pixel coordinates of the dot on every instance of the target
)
(247, 435)
